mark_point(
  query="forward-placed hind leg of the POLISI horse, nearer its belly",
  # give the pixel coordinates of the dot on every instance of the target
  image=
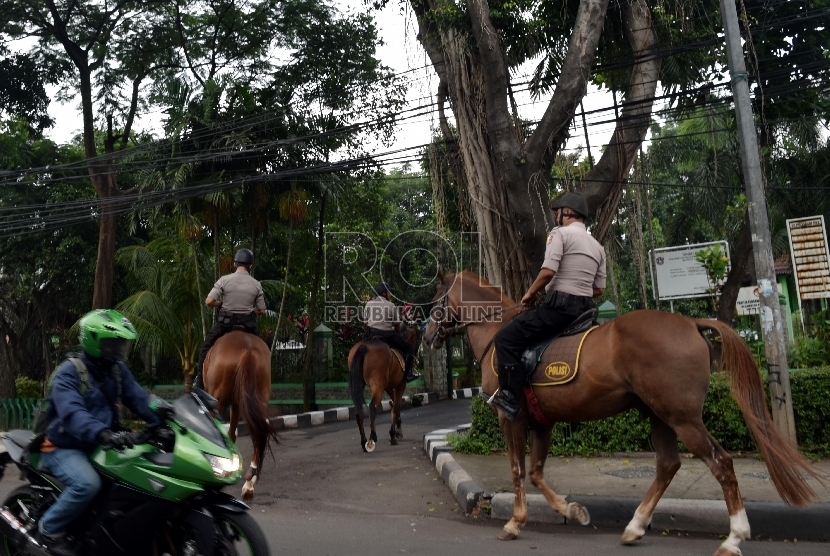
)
(668, 462)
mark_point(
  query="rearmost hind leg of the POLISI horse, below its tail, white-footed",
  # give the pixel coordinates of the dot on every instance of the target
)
(698, 440)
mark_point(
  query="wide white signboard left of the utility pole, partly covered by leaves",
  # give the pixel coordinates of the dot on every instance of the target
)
(678, 274)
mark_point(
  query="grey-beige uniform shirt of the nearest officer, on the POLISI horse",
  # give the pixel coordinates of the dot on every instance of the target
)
(577, 259)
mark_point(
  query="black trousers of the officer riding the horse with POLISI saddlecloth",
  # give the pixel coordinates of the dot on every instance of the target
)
(530, 327)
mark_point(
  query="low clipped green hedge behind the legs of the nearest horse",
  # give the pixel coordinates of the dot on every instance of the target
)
(628, 432)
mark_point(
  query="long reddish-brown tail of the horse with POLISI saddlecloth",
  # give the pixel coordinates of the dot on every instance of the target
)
(784, 463)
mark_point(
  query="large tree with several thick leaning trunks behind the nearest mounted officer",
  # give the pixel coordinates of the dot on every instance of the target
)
(505, 164)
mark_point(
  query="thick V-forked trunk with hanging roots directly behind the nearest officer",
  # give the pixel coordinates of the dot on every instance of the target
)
(506, 179)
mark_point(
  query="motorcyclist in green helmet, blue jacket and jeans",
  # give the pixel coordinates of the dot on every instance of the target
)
(83, 416)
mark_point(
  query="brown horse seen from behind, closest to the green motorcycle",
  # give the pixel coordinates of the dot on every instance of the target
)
(237, 372)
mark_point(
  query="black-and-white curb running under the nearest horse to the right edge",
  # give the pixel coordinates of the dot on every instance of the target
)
(766, 519)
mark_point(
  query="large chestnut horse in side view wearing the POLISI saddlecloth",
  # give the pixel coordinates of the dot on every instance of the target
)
(658, 363)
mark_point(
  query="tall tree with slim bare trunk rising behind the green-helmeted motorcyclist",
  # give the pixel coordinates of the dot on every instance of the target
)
(106, 50)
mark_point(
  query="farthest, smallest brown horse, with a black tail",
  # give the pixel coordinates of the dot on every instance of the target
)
(373, 362)
